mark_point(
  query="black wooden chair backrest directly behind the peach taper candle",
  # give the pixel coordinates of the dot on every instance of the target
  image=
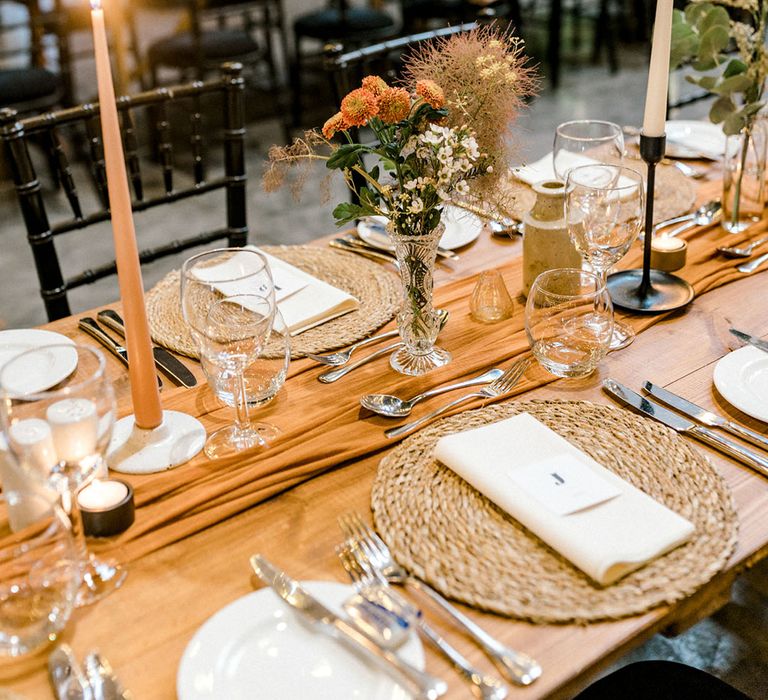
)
(158, 108)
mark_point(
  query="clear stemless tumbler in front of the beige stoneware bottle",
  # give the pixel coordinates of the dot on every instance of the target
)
(569, 320)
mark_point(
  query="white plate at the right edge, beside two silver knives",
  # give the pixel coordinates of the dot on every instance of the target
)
(741, 377)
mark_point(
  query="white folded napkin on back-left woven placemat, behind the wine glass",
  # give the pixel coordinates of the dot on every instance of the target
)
(304, 301)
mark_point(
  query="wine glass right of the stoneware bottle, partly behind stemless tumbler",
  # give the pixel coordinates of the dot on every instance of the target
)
(603, 213)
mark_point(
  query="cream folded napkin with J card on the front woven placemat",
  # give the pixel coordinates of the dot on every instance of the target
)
(599, 522)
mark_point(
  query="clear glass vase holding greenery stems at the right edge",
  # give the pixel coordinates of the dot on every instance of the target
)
(744, 177)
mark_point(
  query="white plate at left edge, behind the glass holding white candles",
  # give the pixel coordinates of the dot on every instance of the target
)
(58, 364)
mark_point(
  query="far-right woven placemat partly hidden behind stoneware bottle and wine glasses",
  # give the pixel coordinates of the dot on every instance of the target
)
(675, 193)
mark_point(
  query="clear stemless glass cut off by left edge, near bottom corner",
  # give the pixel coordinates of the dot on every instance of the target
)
(39, 574)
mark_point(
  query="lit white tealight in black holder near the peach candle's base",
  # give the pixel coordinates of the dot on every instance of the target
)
(106, 506)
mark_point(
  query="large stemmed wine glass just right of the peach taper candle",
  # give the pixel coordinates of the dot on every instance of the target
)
(228, 301)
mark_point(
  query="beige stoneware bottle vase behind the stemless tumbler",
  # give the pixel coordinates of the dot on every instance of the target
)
(546, 243)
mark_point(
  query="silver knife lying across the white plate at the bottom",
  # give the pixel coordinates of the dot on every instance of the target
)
(419, 683)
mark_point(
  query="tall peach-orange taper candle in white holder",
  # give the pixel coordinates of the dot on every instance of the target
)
(144, 391)
